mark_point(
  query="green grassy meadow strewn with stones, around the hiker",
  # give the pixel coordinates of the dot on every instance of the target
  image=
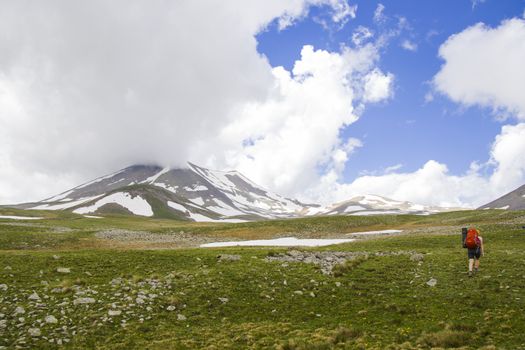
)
(378, 302)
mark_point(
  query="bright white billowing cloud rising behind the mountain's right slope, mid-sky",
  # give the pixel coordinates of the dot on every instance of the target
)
(289, 141)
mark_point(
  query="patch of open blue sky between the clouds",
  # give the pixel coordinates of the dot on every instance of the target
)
(405, 129)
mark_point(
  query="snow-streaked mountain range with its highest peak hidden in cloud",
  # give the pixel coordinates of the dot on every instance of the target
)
(199, 194)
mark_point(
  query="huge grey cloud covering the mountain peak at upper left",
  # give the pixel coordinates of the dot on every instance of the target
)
(89, 87)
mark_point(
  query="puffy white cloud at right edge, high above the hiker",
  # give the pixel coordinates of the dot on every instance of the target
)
(484, 67)
